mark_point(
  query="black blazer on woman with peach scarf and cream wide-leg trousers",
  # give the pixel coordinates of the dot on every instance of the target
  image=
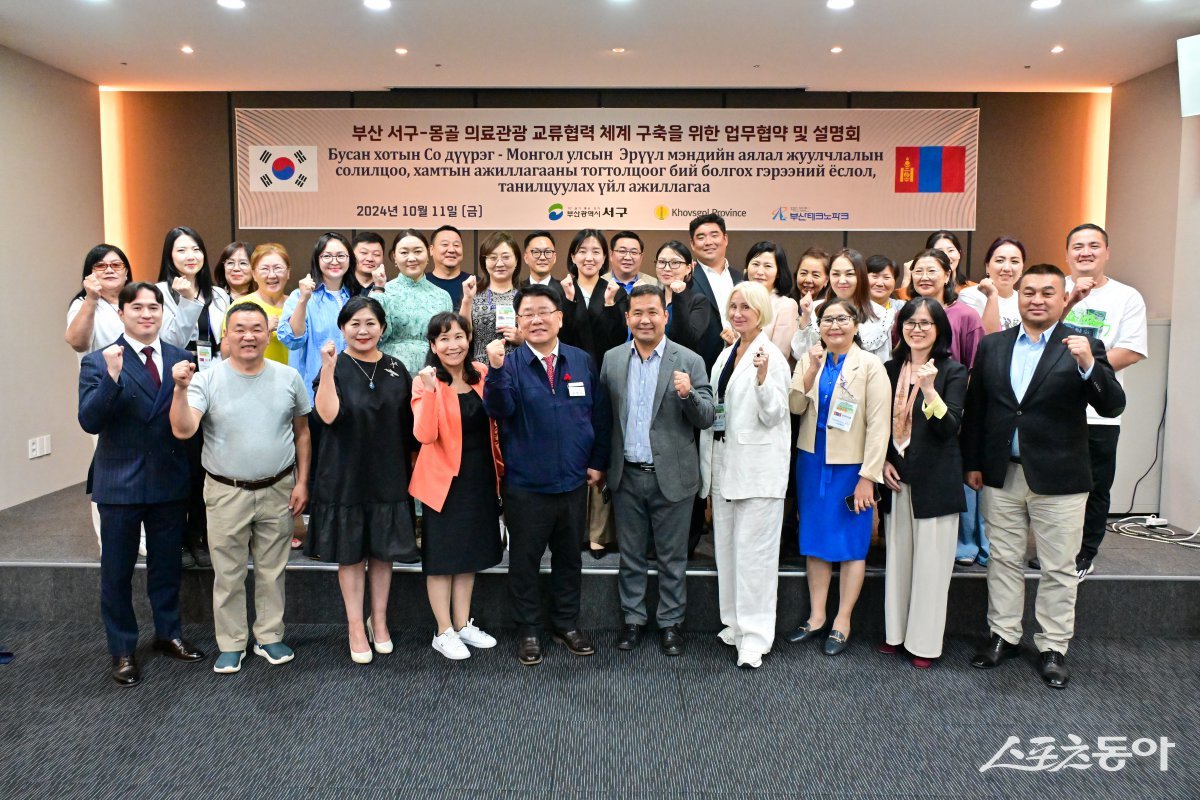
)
(933, 462)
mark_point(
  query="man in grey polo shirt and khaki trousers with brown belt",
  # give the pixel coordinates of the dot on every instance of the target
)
(256, 455)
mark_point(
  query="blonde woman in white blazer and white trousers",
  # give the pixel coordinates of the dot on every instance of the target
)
(743, 464)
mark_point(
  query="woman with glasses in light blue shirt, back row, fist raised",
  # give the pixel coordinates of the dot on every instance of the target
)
(310, 316)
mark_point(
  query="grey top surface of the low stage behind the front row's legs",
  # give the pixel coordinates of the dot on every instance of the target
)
(57, 530)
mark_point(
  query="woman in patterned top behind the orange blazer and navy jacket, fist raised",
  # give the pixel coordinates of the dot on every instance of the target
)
(493, 314)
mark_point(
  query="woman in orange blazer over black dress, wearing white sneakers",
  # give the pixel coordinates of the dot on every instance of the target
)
(457, 479)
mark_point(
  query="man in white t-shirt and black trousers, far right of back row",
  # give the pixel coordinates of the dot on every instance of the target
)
(1115, 314)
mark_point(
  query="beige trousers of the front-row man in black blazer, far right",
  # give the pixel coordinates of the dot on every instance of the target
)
(1057, 522)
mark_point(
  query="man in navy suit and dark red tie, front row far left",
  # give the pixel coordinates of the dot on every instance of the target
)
(139, 477)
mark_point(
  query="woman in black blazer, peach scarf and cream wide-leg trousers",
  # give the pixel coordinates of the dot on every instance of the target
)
(923, 471)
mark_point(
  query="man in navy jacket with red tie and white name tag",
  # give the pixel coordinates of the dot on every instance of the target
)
(555, 426)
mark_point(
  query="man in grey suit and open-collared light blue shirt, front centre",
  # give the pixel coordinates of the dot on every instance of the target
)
(661, 396)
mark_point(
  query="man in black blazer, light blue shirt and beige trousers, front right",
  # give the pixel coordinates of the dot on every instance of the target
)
(1025, 447)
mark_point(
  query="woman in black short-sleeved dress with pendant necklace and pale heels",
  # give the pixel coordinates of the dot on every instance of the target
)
(367, 524)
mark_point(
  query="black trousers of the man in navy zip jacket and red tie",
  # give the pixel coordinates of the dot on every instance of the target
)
(537, 521)
